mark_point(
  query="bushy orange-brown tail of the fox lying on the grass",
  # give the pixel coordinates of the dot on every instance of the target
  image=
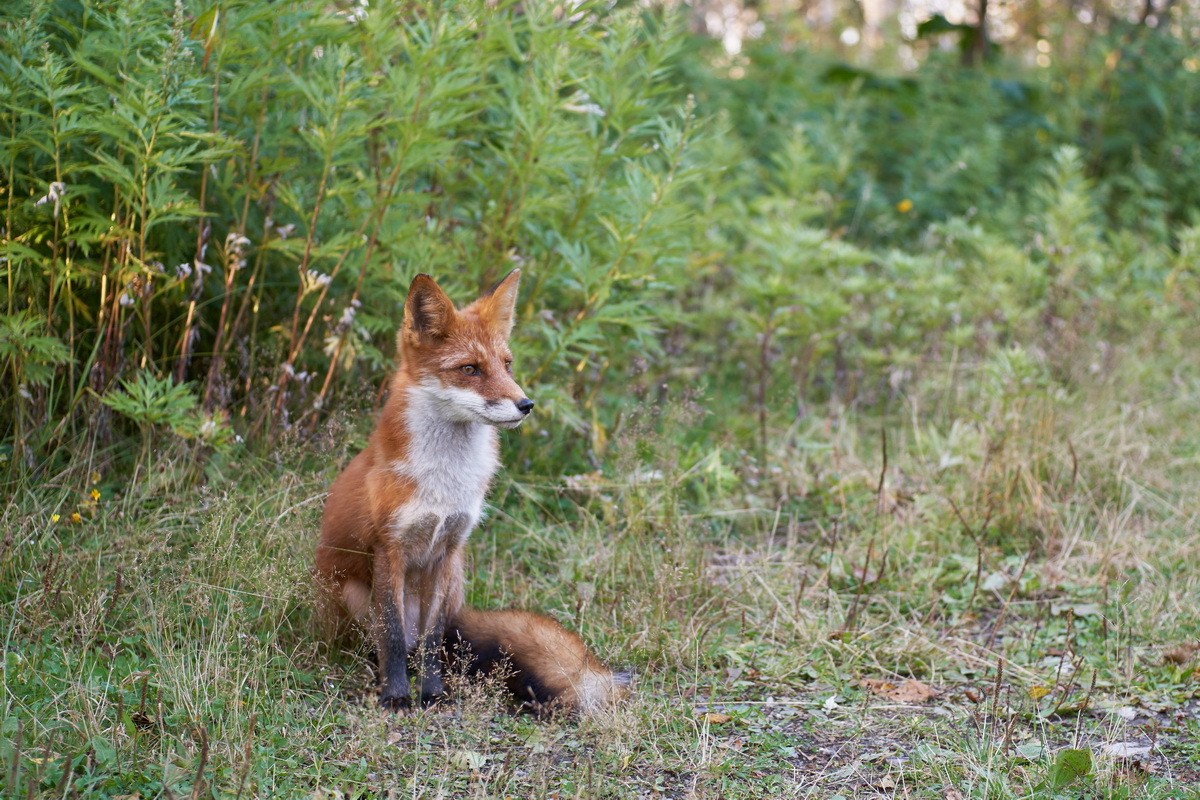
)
(545, 666)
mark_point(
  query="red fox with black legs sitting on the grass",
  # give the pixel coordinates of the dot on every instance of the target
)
(398, 519)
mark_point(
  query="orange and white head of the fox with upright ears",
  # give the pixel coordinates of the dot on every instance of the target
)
(460, 360)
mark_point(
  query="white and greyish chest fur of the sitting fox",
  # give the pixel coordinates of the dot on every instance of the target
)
(451, 466)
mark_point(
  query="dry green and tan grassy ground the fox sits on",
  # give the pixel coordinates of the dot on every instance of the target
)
(1029, 554)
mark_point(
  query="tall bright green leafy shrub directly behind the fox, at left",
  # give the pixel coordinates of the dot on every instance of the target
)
(237, 196)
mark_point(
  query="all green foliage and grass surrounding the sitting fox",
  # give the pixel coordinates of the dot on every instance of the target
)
(842, 370)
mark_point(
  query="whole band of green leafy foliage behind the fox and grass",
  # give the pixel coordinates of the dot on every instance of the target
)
(235, 197)
